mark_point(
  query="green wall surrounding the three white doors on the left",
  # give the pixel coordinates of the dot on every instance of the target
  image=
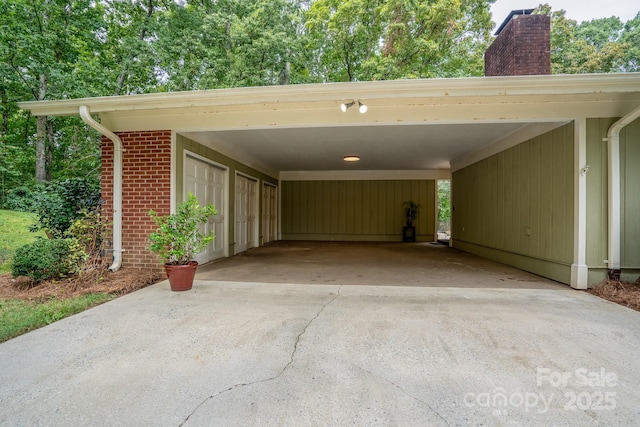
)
(234, 166)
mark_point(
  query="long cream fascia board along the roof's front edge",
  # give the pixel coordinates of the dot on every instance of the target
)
(277, 97)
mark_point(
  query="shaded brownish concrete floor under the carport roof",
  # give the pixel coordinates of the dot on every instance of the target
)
(370, 263)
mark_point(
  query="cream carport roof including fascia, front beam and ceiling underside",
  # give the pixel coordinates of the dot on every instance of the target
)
(410, 125)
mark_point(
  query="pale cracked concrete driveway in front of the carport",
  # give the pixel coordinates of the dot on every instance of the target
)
(242, 353)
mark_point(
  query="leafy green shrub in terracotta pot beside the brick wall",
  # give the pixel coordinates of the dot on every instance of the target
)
(178, 240)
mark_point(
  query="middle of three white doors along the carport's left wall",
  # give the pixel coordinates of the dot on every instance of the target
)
(246, 207)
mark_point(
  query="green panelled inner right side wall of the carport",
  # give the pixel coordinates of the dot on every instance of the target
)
(517, 206)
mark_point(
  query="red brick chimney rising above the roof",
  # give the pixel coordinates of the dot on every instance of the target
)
(522, 46)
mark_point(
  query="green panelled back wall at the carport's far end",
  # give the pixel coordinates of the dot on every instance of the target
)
(355, 210)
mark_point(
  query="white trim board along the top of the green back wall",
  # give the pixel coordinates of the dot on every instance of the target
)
(361, 175)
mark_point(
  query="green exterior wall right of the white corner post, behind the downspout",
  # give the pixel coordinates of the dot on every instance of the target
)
(597, 236)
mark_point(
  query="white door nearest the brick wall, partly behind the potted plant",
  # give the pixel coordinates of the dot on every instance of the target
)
(208, 183)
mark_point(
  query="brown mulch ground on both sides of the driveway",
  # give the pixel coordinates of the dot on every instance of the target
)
(125, 281)
